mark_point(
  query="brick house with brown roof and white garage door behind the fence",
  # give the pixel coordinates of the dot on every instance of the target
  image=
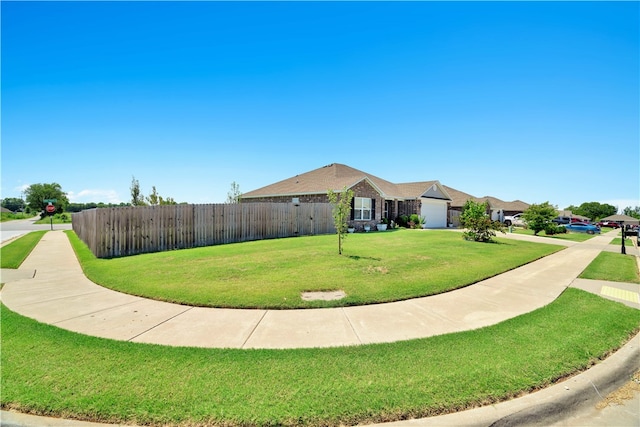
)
(374, 198)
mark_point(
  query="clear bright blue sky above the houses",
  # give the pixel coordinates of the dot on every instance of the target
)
(537, 101)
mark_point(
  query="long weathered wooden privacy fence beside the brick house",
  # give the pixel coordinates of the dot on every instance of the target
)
(123, 231)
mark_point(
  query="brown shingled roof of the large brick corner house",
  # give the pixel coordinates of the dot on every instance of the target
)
(336, 176)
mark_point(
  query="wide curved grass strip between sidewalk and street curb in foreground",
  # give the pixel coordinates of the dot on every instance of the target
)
(46, 370)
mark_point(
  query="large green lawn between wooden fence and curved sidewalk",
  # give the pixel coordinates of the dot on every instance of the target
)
(374, 267)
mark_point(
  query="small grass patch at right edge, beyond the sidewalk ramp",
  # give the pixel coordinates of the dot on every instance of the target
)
(613, 267)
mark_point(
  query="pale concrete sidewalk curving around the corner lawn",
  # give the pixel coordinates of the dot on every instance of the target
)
(51, 288)
